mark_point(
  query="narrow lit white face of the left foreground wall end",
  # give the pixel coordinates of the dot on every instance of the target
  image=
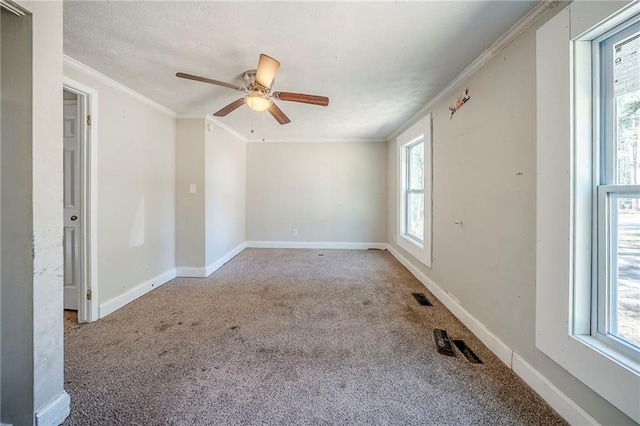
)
(47, 213)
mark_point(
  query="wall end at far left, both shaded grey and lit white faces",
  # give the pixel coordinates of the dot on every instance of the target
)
(32, 340)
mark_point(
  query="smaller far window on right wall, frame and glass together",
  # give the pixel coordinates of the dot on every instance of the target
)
(414, 190)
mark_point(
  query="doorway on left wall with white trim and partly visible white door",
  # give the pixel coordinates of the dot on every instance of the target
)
(79, 198)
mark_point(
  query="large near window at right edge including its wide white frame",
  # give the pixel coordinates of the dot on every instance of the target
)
(586, 254)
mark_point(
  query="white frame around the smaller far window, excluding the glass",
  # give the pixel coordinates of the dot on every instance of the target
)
(421, 250)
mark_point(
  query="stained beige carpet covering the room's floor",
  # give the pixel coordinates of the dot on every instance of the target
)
(289, 337)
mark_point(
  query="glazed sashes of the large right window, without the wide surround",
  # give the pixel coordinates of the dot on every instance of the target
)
(616, 230)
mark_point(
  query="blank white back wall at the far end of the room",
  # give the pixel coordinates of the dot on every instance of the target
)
(330, 192)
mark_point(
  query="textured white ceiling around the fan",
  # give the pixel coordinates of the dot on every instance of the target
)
(378, 62)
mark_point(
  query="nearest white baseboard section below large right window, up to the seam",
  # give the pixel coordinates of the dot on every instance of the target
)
(565, 406)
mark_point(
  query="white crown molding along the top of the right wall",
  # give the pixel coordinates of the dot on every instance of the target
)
(514, 32)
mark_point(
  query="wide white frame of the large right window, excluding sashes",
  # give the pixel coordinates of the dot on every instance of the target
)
(566, 129)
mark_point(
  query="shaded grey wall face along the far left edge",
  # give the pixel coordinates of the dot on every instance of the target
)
(17, 221)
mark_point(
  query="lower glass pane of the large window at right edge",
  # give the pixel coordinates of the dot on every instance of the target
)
(625, 290)
